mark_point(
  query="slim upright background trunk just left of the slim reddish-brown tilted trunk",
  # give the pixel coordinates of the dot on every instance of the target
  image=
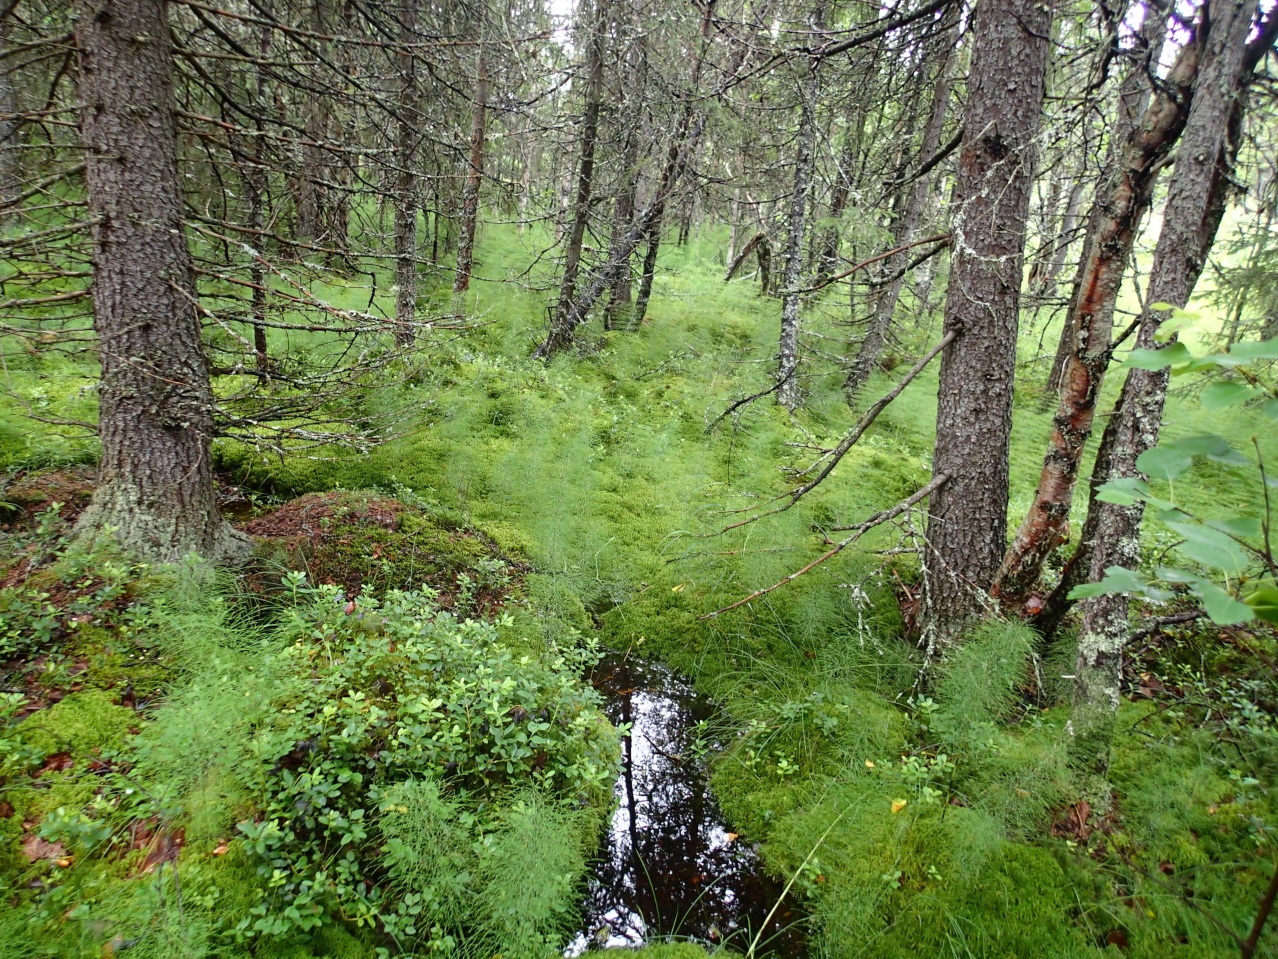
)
(406, 182)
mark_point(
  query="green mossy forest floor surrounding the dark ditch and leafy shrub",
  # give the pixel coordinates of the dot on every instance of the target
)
(585, 499)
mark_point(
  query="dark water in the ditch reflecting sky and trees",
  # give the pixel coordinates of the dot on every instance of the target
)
(669, 868)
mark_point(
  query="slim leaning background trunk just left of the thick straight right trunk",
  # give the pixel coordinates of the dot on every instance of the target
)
(912, 215)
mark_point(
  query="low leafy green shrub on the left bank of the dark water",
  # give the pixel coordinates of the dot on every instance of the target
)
(396, 709)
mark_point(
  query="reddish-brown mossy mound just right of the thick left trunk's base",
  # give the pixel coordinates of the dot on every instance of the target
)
(369, 542)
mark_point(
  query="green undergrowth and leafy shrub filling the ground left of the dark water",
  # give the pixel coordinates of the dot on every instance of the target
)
(323, 778)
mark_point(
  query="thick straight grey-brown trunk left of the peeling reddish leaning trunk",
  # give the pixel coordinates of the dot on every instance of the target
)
(968, 525)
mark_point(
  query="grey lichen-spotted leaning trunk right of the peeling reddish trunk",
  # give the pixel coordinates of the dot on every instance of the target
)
(1196, 205)
